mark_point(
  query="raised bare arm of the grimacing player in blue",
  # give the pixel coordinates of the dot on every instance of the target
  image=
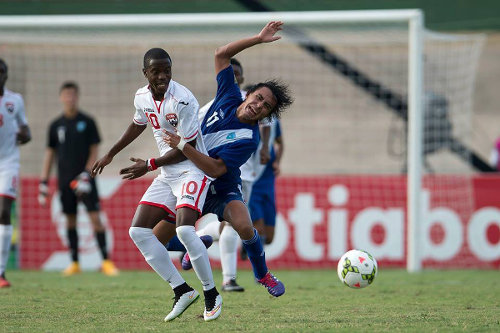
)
(223, 54)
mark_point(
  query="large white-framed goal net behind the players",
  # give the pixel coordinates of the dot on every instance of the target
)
(345, 168)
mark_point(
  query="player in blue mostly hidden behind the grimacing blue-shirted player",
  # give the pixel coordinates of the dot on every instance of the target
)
(262, 203)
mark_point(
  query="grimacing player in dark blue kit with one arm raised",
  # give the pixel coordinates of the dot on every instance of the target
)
(231, 133)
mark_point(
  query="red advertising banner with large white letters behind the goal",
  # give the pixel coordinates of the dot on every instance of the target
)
(319, 218)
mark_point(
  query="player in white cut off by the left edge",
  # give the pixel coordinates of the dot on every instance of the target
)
(14, 131)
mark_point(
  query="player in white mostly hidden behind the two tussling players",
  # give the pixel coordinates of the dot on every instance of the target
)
(223, 232)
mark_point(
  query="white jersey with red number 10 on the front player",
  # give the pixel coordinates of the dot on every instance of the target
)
(177, 113)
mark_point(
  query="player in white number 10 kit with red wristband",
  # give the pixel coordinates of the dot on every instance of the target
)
(178, 193)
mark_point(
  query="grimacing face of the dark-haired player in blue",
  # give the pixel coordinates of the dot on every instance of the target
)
(257, 105)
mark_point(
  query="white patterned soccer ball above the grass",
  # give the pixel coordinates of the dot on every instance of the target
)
(357, 269)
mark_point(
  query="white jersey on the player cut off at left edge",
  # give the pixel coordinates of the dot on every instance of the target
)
(12, 117)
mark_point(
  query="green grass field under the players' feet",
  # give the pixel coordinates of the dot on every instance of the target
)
(432, 301)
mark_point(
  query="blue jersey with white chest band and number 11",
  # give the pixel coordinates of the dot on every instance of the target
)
(224, 135)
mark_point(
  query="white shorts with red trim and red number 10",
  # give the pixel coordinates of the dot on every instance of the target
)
(188, 190)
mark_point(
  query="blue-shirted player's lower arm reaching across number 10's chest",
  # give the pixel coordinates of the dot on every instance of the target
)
(210, 166)
